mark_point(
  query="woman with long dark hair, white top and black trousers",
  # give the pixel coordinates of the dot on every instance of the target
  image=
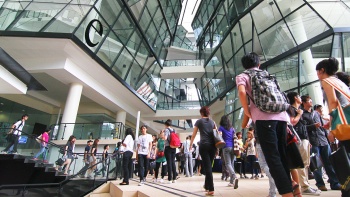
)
(128, 144)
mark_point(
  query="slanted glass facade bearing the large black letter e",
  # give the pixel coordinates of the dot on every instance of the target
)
(128, 38)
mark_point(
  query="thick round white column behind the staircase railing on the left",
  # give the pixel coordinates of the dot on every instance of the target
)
(70, 110)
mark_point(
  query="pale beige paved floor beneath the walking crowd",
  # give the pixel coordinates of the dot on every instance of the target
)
(193, 186)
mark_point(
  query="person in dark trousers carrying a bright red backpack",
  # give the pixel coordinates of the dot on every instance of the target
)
(170, 143)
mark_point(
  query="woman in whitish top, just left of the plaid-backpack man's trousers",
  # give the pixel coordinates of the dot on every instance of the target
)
(251, 154)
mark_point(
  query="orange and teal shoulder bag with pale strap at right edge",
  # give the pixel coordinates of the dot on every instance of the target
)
(340, 116)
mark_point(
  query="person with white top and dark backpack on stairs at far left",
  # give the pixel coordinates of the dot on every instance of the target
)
(15, 132)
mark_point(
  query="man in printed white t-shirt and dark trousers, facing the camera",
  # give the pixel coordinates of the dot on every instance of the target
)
(144, 147)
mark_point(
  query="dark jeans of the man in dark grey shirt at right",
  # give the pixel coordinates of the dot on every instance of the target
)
(324, 152)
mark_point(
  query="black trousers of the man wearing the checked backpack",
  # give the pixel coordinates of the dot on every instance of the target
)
(272, 137)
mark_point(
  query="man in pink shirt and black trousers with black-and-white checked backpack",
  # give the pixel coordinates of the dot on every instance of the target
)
(264, 103)
